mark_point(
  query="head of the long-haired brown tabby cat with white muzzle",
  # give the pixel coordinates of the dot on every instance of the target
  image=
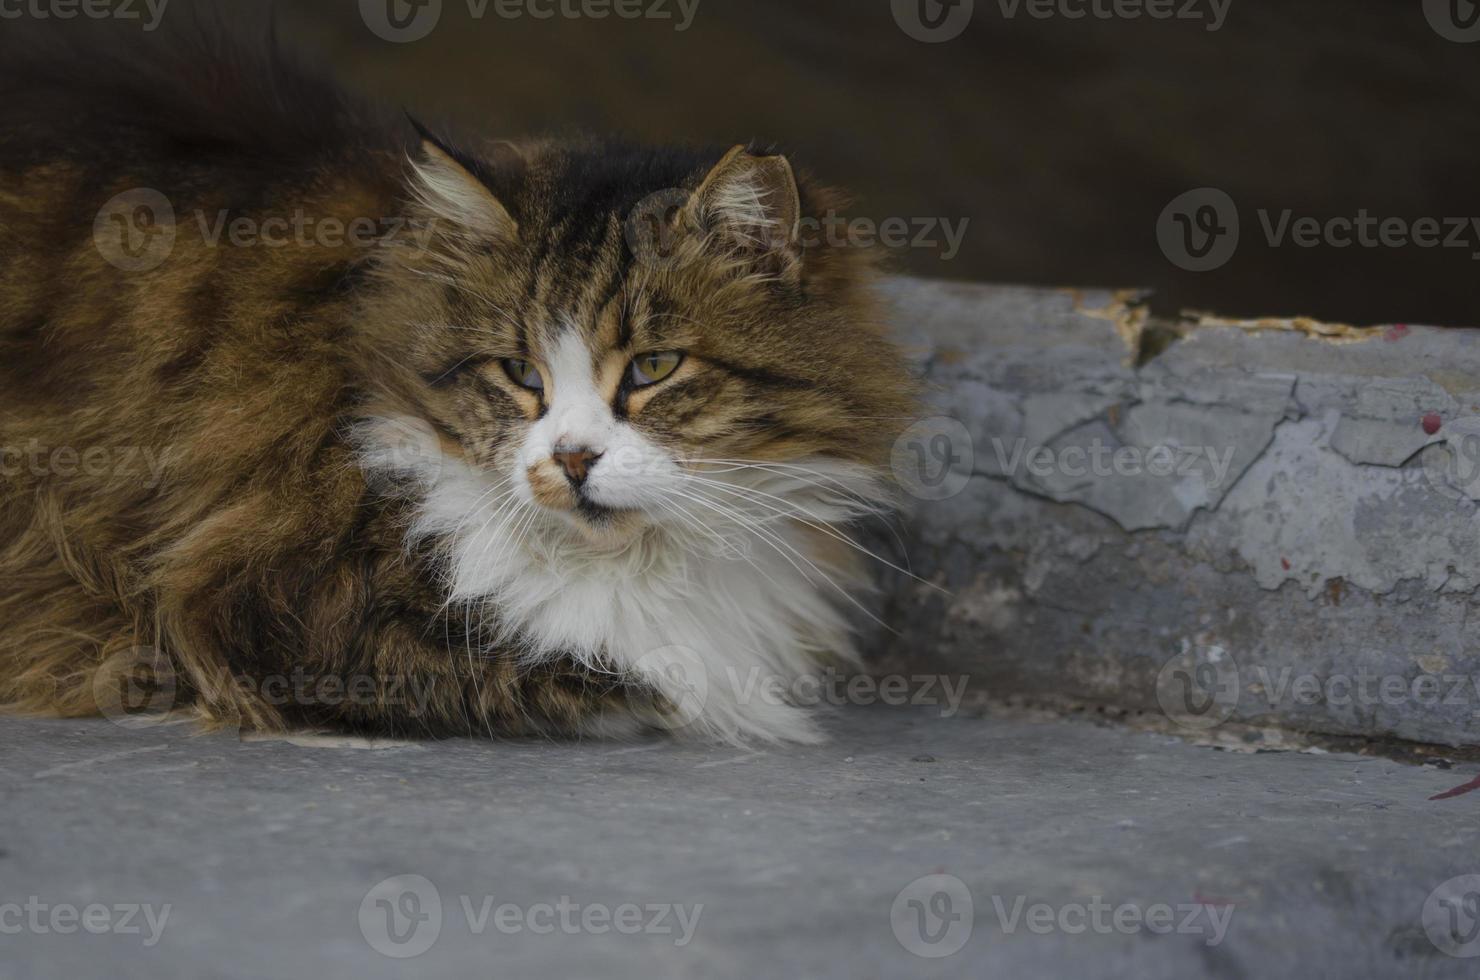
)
(633, 343)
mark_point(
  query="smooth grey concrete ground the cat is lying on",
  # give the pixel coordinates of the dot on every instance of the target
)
(1029, 848)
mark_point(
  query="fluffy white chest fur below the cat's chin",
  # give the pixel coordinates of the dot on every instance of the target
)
(723, 609)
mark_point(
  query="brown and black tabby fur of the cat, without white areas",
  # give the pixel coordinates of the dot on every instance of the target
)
(261, 550)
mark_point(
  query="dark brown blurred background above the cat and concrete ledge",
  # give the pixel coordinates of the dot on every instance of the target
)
(1060, 140)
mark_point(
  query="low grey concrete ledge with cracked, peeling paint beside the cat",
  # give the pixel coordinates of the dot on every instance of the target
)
(1271, 523)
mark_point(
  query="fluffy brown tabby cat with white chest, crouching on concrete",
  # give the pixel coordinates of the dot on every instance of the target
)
(332, 421)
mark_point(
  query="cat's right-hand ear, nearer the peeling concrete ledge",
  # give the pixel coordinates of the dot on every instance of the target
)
(753, 202)
